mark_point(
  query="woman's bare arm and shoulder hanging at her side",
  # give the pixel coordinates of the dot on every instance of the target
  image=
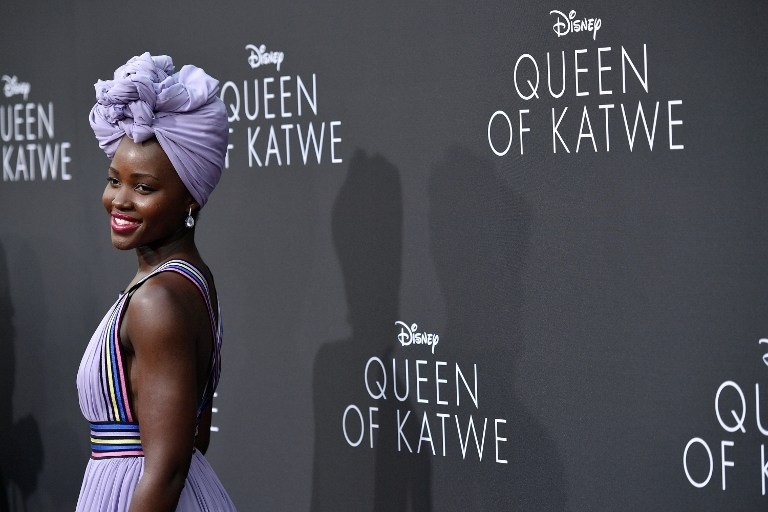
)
(162, 326)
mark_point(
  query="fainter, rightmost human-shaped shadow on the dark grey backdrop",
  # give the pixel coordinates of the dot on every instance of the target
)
(480, 232)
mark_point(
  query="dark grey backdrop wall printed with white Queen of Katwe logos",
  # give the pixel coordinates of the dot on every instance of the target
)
(471, 256)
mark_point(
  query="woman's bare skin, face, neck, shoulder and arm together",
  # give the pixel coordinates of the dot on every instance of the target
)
(166, 331)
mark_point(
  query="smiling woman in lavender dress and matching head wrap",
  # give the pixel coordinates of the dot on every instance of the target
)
(147, 378)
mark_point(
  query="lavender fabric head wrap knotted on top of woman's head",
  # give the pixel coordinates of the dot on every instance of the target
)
(182, 110)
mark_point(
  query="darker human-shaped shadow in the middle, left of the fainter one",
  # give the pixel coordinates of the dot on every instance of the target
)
(374, 475)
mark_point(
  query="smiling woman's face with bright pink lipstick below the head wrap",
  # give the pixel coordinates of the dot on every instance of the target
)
(145, 198)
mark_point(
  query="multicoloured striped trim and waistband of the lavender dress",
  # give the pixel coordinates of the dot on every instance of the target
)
(122, 425)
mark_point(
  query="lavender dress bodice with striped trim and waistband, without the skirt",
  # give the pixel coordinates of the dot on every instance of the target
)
(102, 380)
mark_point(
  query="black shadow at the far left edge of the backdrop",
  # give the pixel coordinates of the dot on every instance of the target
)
(21, 450)
